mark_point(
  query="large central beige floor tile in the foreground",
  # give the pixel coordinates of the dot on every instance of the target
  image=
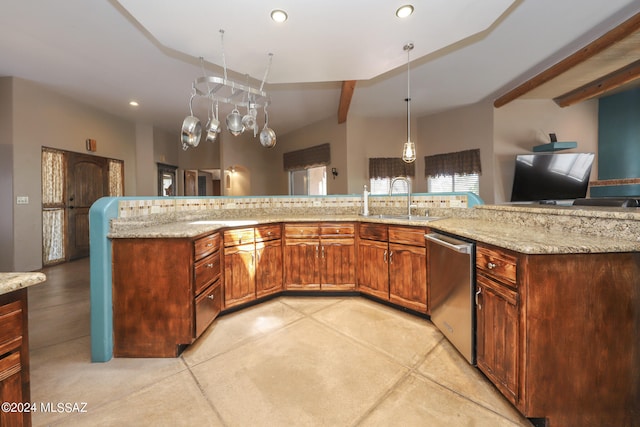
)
(302, 375)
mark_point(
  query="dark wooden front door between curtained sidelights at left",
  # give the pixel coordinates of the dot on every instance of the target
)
(87, 181)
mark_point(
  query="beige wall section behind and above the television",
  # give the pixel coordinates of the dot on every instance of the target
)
(522, 124)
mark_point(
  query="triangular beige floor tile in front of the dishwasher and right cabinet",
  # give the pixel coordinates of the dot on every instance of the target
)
(447, 367)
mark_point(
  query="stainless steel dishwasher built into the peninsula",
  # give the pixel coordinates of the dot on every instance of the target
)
(451, 277)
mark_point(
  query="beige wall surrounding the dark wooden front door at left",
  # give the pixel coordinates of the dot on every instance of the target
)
(44, 118)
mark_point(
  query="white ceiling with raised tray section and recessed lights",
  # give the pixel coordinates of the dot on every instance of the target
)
(106, 53)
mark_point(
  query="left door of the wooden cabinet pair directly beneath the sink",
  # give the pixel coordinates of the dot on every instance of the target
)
(373, 268)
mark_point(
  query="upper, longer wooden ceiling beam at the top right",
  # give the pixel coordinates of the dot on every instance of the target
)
(610, 38)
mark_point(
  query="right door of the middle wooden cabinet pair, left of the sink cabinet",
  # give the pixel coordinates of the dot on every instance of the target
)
(338, 268)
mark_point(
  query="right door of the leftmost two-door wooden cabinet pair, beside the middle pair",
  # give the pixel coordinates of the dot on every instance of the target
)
(268, 267)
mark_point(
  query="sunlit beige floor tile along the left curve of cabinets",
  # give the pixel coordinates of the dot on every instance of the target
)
(236, 328)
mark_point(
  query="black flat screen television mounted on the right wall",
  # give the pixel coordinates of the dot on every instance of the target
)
(551, 176)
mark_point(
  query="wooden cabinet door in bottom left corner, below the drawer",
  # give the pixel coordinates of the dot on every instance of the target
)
(11, 390)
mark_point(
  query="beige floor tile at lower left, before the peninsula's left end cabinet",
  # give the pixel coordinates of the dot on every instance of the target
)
(64, 373)
